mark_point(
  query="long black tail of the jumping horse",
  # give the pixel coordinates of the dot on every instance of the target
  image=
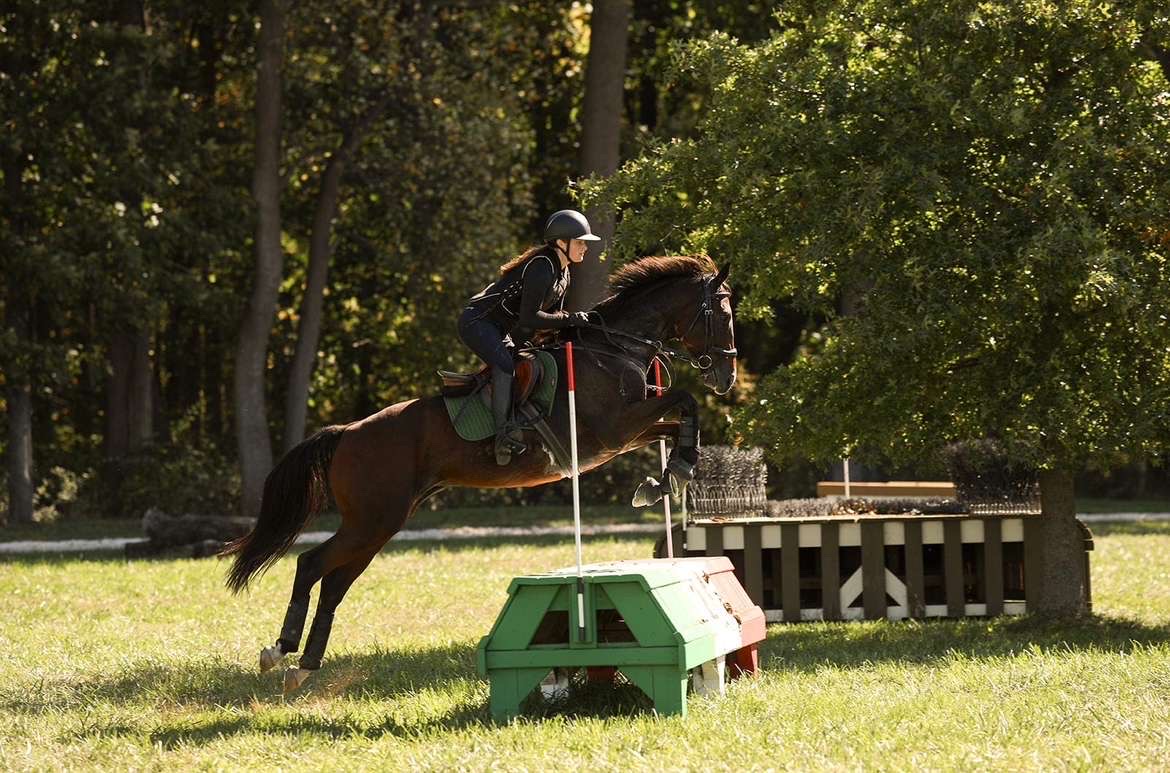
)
(295, 491)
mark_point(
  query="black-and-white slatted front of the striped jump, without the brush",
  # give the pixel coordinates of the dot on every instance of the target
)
(879, 567)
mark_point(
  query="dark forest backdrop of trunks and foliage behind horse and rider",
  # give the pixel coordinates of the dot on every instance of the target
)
(228, 224)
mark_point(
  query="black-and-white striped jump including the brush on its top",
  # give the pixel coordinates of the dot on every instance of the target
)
(869, 567)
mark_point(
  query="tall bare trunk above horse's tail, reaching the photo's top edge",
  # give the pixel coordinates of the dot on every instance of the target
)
(252, 353)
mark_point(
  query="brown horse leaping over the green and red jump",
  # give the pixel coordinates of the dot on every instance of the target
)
(381, 468)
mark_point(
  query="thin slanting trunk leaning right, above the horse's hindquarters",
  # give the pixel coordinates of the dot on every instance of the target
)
(320, 253)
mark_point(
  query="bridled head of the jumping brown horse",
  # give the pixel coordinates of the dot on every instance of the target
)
(710, 337)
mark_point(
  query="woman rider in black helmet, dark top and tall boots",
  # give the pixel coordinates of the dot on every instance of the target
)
(520, 303)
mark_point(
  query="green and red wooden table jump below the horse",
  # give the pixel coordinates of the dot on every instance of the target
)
(660, 623)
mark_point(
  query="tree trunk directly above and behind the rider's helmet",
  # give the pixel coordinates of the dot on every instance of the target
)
(601, 135)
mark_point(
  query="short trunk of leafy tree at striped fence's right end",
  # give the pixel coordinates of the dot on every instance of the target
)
(1063, 575)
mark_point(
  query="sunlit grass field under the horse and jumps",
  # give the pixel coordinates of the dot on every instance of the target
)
(115, 665)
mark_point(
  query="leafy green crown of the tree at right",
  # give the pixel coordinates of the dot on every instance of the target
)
(983, 188)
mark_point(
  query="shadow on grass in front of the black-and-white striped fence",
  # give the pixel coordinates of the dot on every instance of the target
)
(808, 647)
